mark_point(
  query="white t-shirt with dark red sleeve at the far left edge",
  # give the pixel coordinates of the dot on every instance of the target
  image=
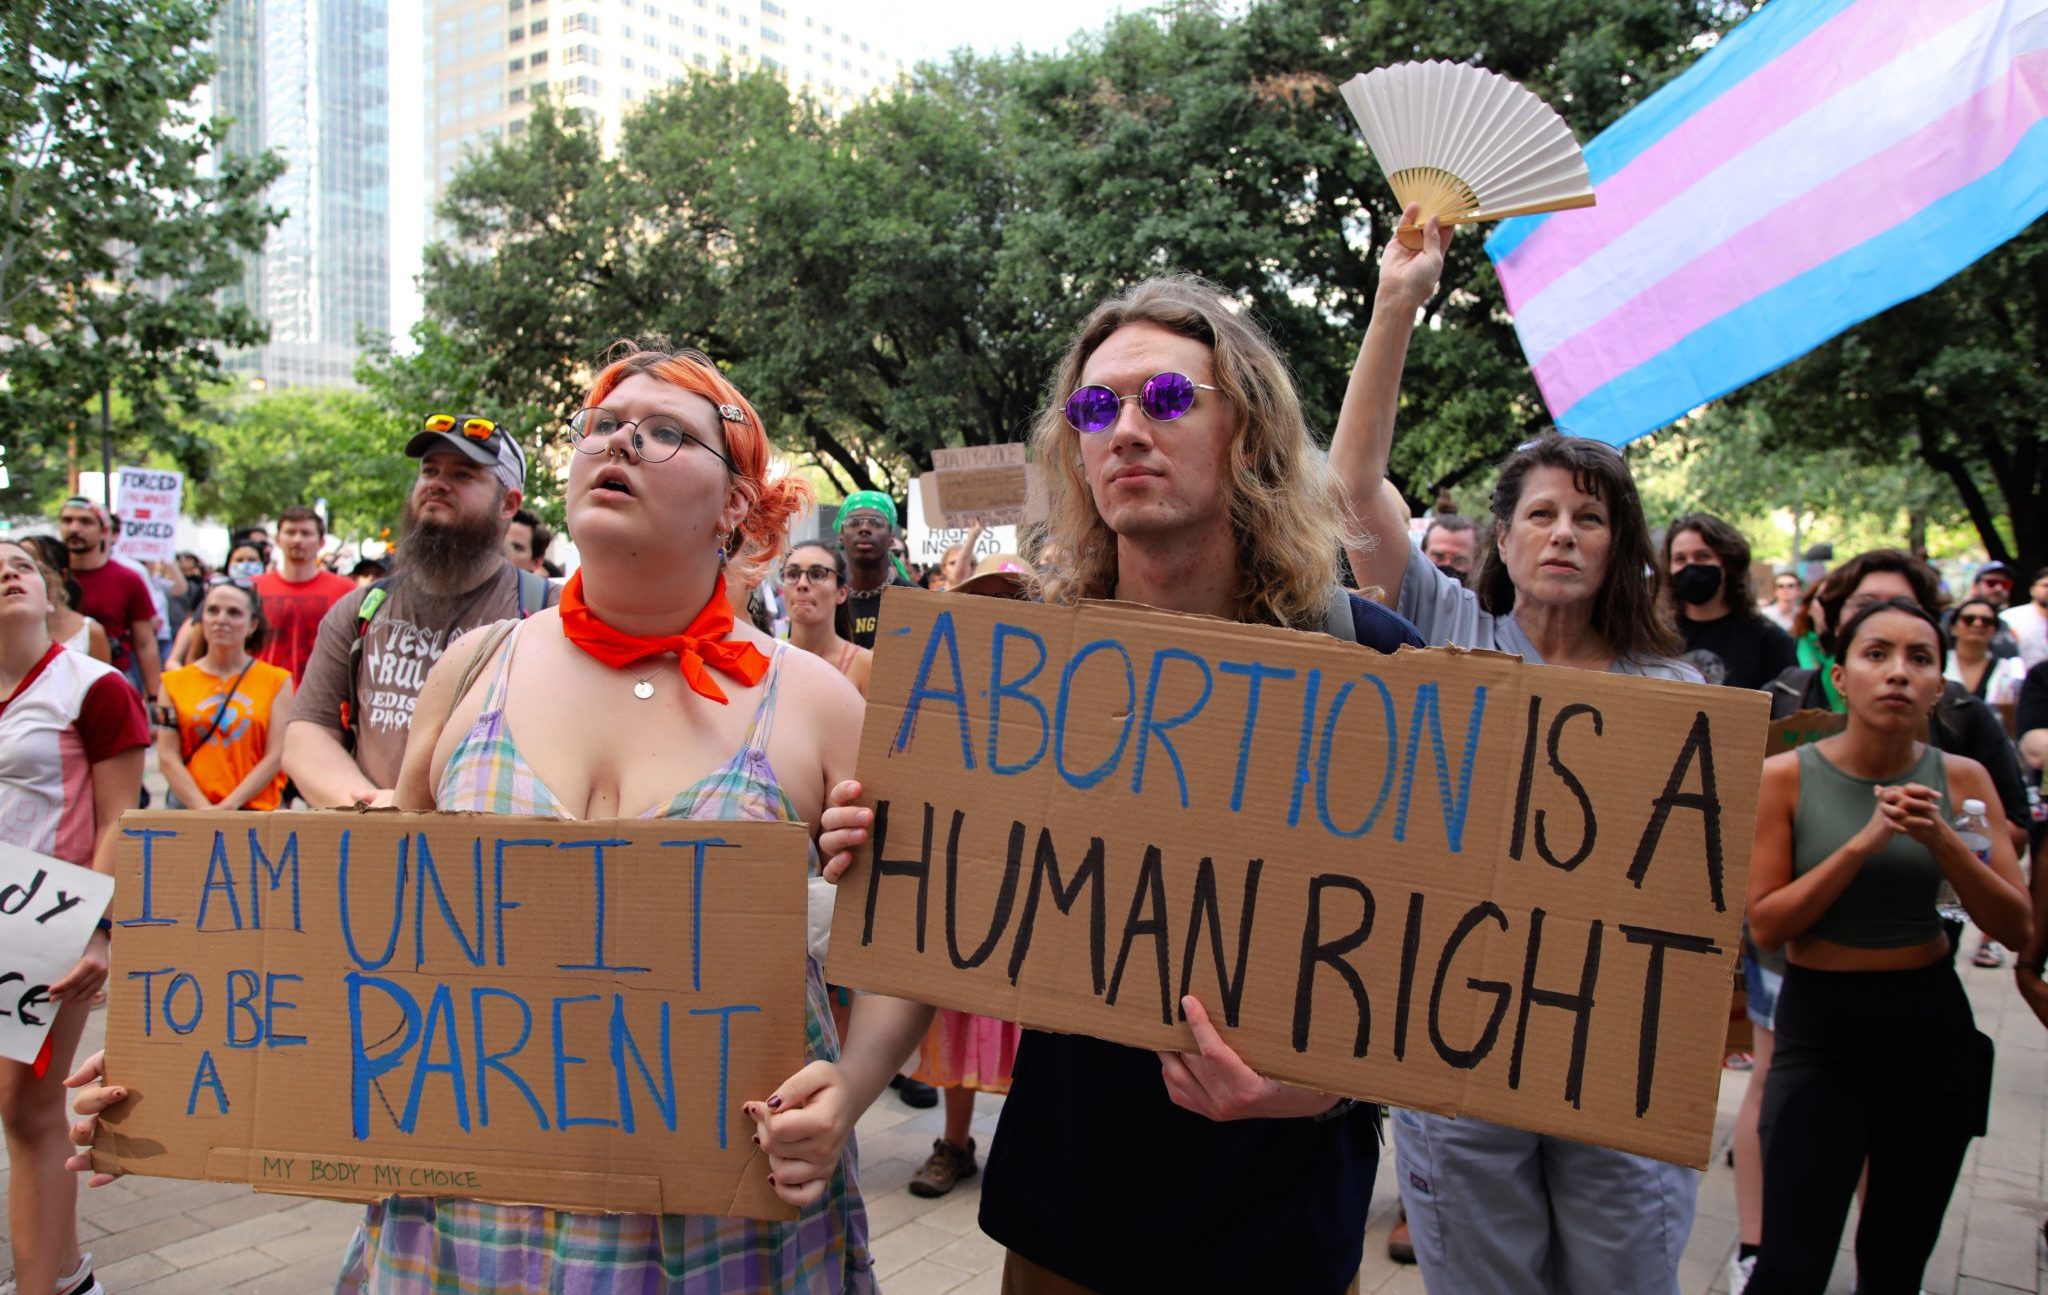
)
(67, 716)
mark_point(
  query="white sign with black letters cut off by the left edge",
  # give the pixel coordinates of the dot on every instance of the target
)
(48, 911)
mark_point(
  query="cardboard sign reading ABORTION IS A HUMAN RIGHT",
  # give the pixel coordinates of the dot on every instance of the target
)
(1443, 880)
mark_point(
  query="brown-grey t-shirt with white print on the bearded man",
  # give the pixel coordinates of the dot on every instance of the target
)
(404, 640)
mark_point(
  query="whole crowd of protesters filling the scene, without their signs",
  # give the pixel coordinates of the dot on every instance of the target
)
(1179, 474)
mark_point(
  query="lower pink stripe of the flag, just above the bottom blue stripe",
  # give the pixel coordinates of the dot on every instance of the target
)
(1818, 226)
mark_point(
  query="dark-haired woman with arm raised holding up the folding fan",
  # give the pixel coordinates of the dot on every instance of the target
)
(1562, 583)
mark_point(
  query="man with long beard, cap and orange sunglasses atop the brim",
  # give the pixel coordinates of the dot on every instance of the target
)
(376, 646)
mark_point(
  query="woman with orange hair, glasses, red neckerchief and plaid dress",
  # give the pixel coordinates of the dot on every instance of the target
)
(669, 489)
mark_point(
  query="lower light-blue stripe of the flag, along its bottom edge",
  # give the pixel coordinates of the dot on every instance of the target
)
(1787, 323)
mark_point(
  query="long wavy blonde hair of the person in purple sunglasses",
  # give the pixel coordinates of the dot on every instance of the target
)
(1283, 499)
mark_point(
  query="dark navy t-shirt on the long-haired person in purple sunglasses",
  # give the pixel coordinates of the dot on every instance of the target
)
(1099, 1177)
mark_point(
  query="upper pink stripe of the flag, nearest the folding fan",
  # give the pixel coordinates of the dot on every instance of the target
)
(1838, 54)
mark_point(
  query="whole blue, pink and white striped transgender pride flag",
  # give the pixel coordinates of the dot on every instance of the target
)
(1826, 161)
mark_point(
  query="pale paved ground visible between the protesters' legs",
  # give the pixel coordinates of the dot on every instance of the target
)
(159, 1237)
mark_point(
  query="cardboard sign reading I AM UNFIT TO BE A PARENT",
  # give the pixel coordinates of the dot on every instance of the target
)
(454, 1005)
